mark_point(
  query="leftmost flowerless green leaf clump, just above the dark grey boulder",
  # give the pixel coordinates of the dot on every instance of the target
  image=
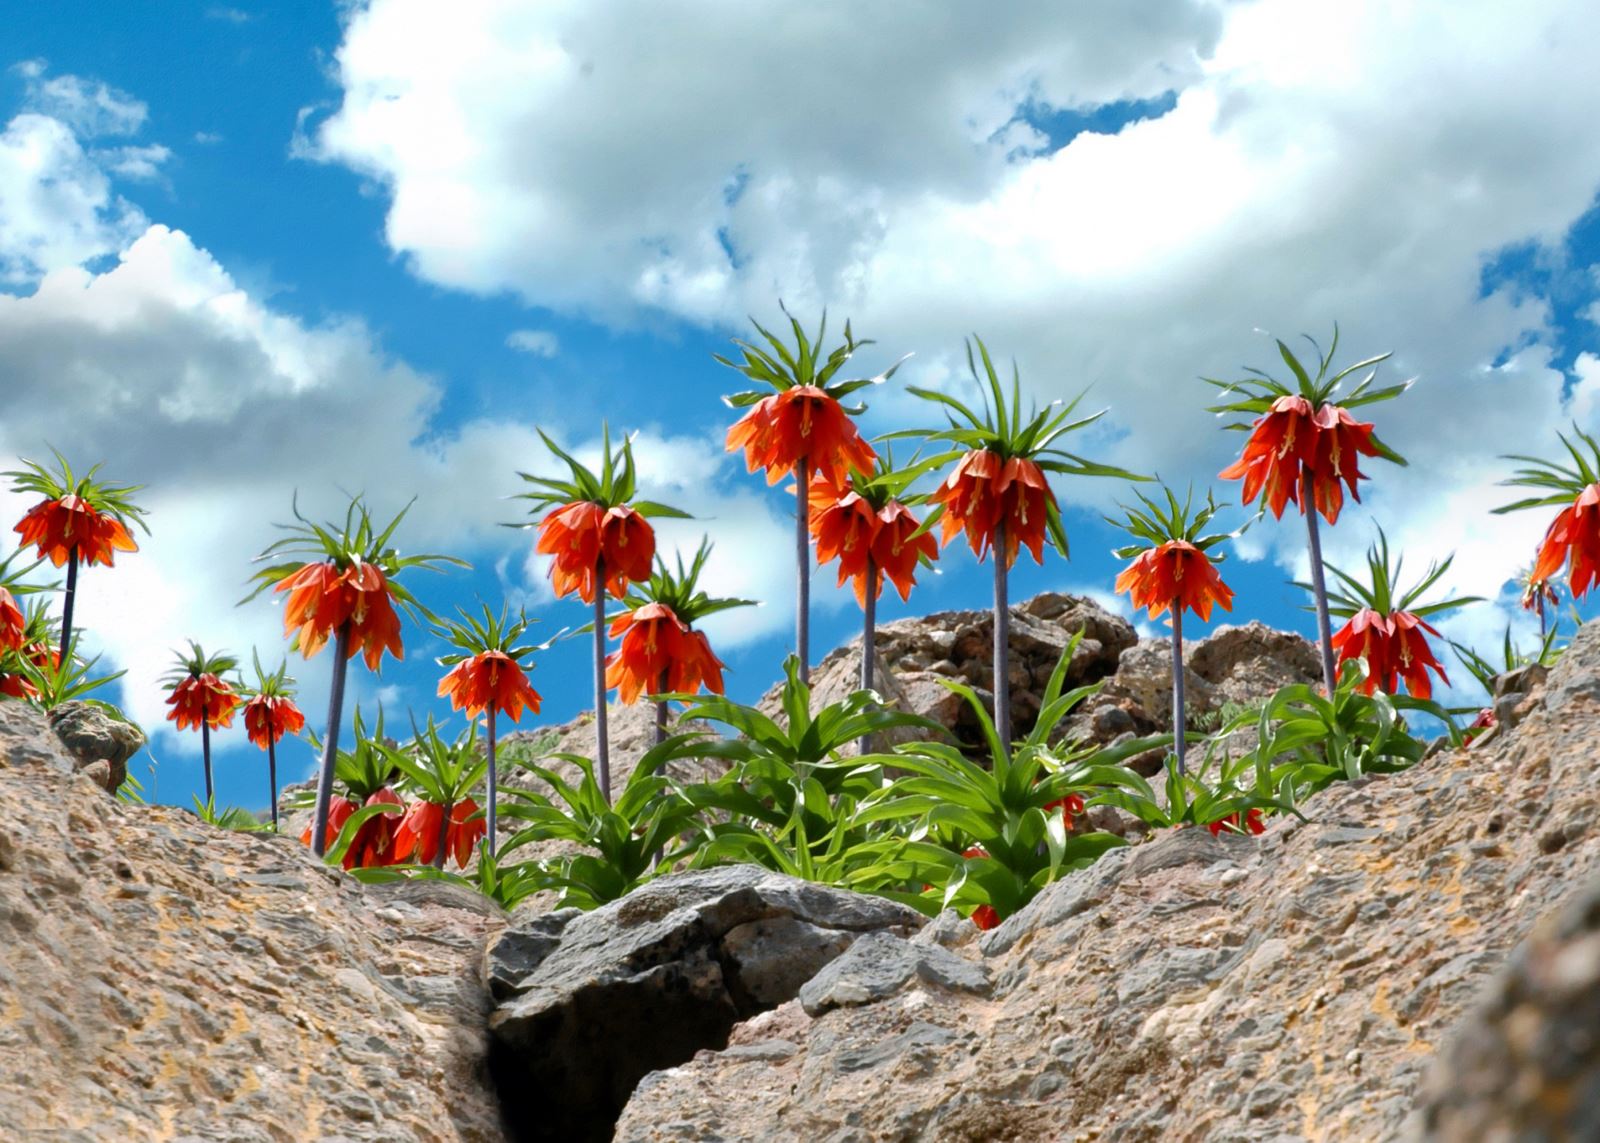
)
(628, 843)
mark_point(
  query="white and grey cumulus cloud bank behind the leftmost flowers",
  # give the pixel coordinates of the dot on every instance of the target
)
(159, 366)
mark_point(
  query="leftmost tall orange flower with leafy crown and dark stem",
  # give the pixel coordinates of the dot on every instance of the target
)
(79, 521)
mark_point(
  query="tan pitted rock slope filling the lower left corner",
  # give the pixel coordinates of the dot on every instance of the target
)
(161, 979)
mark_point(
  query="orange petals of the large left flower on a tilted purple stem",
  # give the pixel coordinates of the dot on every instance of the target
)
(322, 600)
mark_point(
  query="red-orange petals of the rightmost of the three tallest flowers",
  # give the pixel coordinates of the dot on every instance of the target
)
(1292, 443)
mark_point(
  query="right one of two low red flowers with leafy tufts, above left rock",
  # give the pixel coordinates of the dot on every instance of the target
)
(444, 819)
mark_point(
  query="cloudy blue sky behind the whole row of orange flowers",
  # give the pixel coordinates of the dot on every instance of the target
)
(250, 252)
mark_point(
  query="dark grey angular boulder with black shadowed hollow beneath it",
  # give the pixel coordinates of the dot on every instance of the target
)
(646, 982)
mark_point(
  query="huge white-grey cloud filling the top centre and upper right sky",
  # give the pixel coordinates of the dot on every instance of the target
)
(1305, 164)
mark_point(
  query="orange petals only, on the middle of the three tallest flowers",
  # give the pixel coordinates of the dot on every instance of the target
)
(986, 492)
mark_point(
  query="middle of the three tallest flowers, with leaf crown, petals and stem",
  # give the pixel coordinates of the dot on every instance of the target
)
(999, 492)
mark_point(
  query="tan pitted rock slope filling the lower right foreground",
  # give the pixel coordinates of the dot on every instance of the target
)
(1289, 987)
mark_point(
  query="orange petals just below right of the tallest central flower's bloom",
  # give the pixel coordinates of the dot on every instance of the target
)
(847, 527)
